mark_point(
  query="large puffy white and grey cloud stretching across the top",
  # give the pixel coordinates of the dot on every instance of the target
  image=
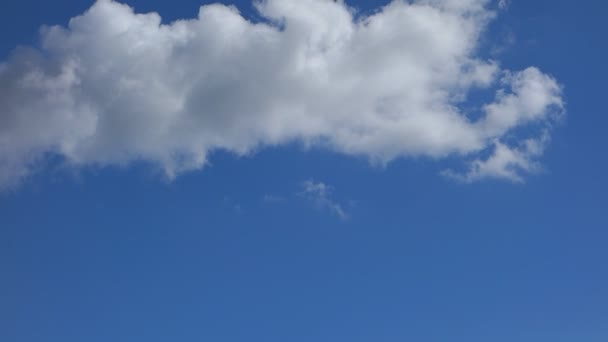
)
(115, 86)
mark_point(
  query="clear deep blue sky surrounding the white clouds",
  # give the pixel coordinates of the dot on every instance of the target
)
(118, 255)
